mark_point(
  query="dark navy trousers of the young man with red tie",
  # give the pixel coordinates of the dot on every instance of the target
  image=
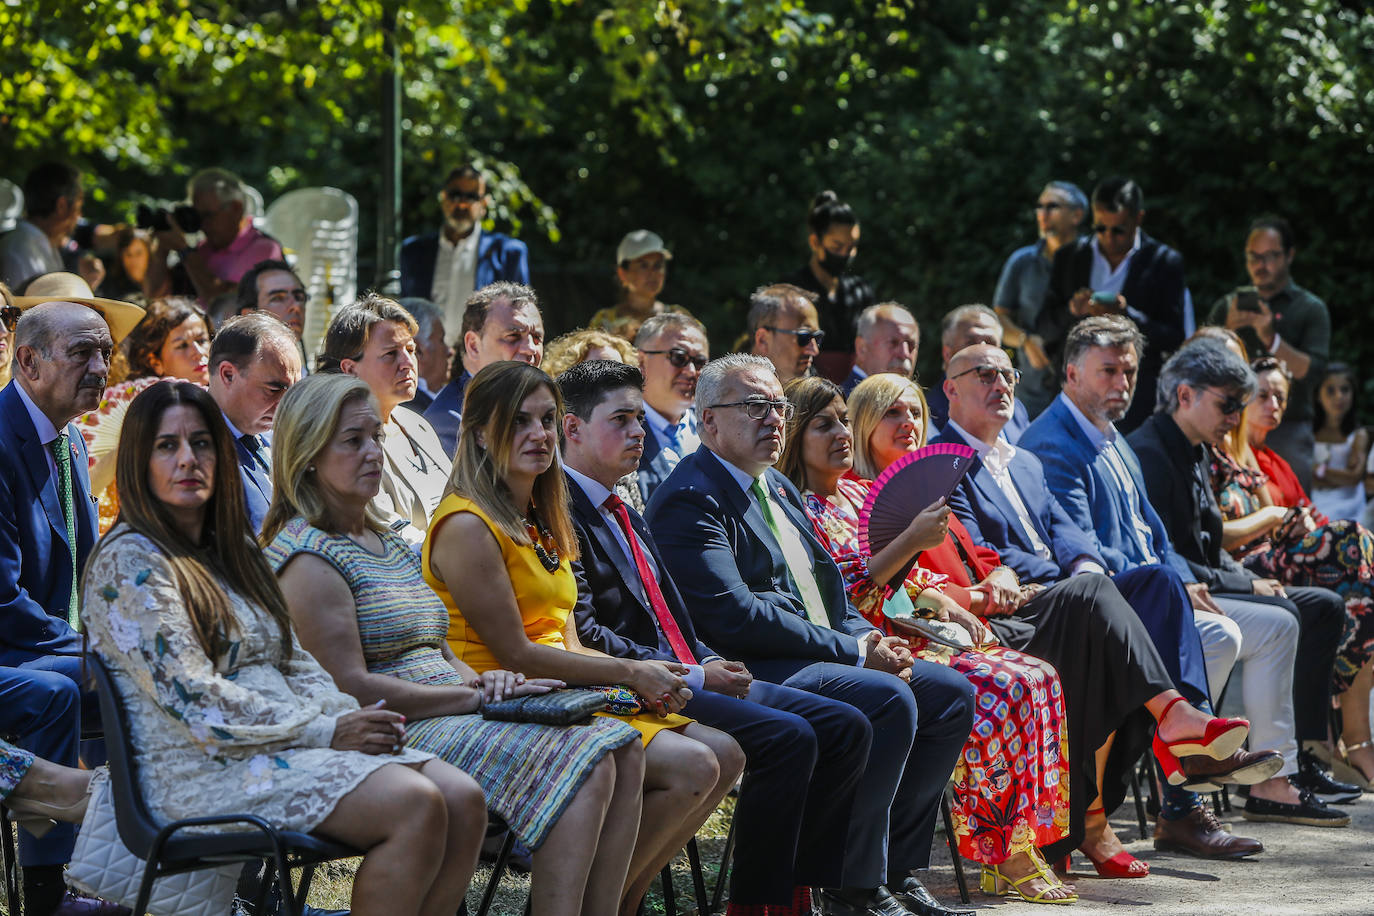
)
(806, 757)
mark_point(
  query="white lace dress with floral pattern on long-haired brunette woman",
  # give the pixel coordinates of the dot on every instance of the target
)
(245, 733)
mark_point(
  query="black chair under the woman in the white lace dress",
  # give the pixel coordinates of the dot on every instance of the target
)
(168, 851)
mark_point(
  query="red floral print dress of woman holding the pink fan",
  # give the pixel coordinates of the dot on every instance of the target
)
(1012, 782)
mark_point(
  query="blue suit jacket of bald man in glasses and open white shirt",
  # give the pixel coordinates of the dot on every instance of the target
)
(993, 523)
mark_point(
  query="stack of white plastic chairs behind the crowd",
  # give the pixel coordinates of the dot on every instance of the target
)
(318, 229)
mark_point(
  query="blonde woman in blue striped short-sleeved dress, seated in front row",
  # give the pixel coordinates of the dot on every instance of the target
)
(362, 608)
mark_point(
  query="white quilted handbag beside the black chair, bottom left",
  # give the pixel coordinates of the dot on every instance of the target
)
(104, 866)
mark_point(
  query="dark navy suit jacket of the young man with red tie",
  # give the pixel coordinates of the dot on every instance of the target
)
(613, 613)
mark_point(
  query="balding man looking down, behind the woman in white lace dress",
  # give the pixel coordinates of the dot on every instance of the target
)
(254, 360)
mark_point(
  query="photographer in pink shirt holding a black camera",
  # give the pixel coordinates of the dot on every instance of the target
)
(232, 244)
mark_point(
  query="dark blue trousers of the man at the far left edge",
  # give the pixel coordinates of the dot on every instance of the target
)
(42, 711)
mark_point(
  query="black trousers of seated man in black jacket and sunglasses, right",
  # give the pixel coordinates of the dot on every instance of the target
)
(1321, 617)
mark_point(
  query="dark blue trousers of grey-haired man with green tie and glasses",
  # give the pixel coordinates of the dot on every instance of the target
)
(910, 762)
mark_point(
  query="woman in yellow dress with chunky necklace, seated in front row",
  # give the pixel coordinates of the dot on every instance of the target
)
(499, 554)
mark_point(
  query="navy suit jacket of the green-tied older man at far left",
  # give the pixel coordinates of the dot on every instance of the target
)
(35, 572)
